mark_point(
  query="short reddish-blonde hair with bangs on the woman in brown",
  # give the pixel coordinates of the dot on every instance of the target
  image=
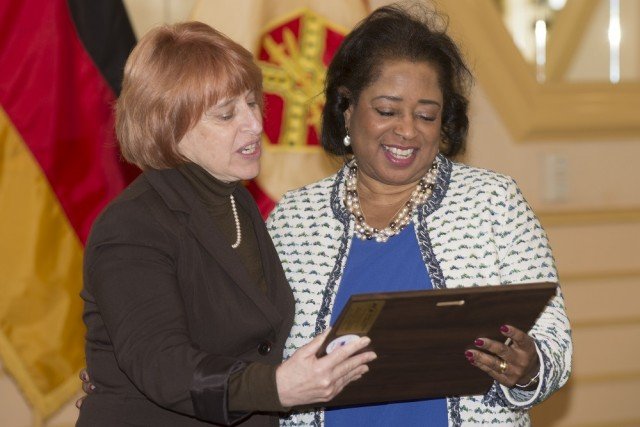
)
(172, 77)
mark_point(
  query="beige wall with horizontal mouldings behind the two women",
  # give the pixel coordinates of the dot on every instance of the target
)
(594, 228)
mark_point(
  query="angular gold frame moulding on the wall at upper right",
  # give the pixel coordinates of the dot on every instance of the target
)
(556, 109)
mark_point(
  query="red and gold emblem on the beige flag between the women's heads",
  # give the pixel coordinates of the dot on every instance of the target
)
(294, 55)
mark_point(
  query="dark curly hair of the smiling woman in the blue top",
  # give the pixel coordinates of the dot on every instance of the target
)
(393, 32)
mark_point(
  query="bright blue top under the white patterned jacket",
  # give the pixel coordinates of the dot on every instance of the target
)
(395, 265)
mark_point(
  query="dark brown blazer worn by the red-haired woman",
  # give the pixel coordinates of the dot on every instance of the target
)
(171, 311)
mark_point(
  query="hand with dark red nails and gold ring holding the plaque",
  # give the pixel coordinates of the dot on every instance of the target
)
(516, 363)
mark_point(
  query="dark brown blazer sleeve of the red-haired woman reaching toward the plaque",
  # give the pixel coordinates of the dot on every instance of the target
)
(130, 271)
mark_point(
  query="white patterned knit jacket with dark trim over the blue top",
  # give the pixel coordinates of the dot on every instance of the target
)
(475, 229)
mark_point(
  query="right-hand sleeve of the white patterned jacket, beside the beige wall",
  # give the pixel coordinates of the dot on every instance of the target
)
(525, 256)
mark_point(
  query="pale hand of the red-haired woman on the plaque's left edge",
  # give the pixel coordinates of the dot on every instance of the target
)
(304, 378)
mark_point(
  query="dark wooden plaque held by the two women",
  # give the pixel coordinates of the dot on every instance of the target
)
(420, 338)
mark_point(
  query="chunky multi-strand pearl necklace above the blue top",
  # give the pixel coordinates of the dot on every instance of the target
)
(364, 231)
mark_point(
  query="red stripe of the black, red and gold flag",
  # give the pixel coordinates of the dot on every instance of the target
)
(61, 105)
